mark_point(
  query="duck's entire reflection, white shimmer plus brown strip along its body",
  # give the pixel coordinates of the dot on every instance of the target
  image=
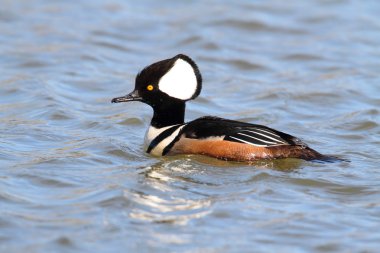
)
(166, 182)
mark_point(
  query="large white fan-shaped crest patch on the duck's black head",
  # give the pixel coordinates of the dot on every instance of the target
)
(180, 81)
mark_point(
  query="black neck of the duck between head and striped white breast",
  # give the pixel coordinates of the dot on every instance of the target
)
(168, 114)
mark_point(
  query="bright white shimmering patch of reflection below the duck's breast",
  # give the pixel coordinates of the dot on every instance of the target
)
(162, 200)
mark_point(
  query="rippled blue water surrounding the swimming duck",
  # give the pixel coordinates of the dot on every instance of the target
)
(73, 173)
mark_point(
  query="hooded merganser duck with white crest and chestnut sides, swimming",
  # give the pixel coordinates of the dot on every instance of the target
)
(167, 85)
